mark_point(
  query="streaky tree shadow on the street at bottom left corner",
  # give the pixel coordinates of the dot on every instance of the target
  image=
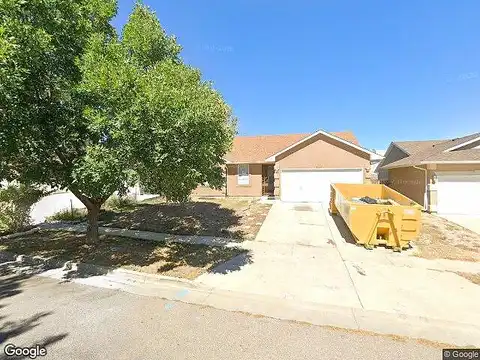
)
(11, 329)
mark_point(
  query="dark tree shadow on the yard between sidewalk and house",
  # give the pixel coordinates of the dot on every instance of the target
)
(189, 218)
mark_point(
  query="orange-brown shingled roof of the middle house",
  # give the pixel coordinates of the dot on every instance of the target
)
(251, 149)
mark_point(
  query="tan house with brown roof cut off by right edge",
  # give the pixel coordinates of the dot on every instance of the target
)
(441, 175)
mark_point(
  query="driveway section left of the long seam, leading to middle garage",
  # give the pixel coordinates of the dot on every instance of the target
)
(293, 257)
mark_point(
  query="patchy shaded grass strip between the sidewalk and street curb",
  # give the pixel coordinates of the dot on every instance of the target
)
(171, 259)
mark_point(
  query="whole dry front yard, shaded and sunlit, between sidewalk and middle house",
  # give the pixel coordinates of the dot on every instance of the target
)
(239, 219)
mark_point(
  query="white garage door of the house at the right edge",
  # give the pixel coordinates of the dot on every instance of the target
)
(458, 194)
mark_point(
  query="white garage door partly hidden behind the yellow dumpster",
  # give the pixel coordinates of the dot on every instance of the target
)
(314, 185)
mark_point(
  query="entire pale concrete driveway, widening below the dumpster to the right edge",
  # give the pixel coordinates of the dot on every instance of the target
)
(302, 253)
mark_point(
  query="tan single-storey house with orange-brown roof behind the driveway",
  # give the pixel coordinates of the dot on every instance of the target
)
(292, 167)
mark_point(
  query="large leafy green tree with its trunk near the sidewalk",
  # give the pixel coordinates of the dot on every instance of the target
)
(85, 109)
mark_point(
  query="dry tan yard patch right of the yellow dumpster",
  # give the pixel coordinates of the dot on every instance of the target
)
(442, 239)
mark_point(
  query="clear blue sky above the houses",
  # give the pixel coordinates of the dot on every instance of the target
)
(387, 70)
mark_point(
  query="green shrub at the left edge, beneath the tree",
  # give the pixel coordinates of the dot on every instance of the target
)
(16, 201)
